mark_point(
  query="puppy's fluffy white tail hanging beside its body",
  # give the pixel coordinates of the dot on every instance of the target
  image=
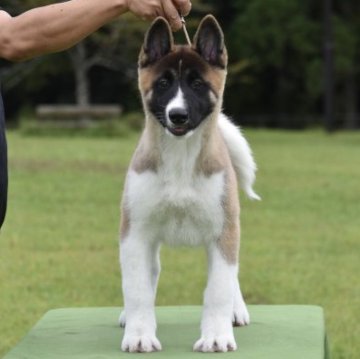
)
(240, 154)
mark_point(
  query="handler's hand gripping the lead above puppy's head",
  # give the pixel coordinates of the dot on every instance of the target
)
(170, 9)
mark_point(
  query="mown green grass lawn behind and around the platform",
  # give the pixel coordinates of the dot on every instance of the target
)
(301, 244)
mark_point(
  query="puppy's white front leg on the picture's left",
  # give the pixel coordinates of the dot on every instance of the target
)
(137, 262)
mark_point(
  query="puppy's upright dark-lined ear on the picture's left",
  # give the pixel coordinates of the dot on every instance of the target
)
(158, 42)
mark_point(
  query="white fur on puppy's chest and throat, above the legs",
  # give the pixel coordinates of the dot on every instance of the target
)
(176, 205)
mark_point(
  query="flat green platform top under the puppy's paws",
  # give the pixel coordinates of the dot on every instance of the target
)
(279, 331)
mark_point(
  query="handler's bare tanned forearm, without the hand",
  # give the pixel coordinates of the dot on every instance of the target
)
(55, 27)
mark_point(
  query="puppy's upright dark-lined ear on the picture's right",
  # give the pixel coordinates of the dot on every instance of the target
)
(209, 42)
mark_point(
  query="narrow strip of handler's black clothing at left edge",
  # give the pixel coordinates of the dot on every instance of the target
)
(3, 165)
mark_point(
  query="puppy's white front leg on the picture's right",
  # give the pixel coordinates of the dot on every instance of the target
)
(216, 325)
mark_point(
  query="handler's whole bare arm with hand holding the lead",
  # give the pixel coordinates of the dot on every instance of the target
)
(57, 27)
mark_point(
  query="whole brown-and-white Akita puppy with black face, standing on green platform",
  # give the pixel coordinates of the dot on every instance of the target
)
(181, 186)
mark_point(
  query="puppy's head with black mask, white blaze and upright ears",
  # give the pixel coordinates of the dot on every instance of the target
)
(182, 85)
